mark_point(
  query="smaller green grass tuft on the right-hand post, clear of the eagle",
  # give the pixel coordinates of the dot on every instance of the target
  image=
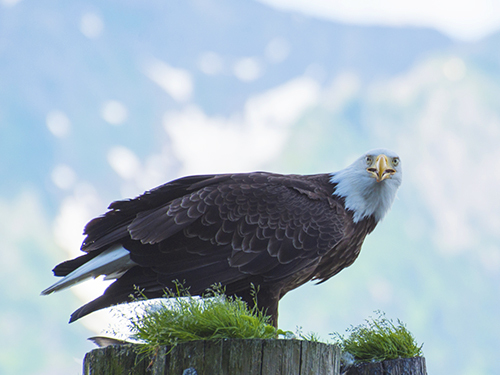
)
(378, 340)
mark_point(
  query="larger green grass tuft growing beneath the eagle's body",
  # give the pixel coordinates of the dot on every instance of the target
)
(185, 318)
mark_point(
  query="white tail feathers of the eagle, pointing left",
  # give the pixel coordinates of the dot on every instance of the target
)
(112, 262)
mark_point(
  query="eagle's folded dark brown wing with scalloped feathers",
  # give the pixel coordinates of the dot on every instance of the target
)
(262, 224)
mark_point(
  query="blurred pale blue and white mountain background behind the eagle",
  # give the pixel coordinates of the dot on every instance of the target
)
(101, 100)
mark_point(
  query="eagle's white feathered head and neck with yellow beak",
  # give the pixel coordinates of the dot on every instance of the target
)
(369, 185)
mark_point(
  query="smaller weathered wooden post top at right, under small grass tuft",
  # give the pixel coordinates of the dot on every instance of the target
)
(402, 366)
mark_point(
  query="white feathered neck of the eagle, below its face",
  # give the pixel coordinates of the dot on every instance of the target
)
(363, 194)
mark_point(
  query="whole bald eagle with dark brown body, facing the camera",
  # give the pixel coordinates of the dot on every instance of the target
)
(273, 231)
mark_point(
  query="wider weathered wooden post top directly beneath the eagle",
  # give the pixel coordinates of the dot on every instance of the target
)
(229, 356)
